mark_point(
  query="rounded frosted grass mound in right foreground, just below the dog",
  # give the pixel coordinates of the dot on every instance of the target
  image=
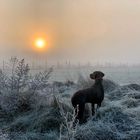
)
(110, 123)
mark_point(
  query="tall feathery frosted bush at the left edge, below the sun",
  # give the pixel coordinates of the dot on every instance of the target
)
(18, 87)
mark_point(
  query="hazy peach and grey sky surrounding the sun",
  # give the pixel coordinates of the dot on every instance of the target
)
(79, 31)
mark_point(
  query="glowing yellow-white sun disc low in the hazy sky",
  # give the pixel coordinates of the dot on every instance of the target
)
(40, 43)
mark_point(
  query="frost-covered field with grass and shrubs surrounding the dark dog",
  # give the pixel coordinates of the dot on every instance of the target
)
(36, 105)
